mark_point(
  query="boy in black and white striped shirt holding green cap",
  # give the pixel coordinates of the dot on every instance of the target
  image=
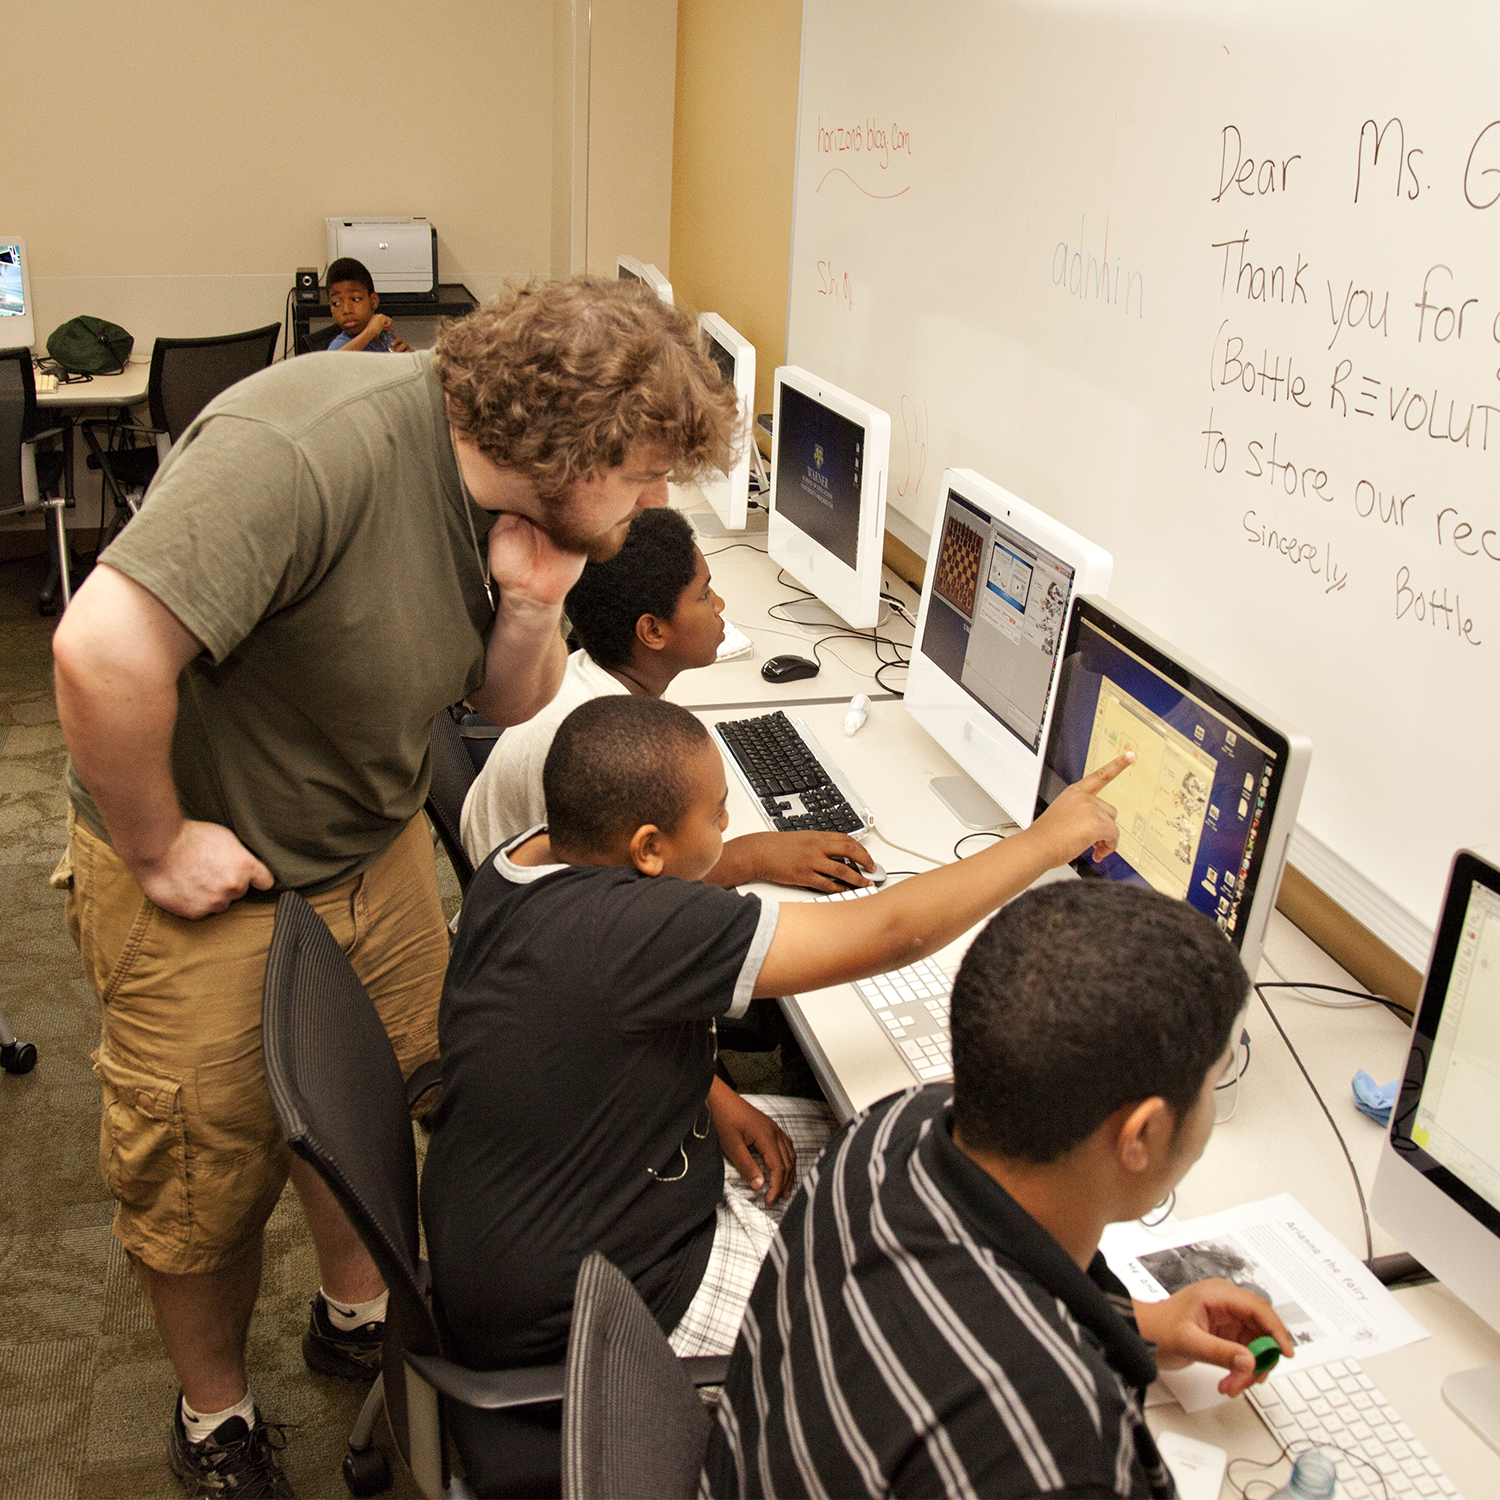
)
(934, 1316)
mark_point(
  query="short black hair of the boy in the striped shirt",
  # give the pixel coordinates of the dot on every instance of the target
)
(1079, 998)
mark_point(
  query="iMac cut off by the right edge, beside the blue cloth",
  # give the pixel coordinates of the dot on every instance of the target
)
(1438, 1187)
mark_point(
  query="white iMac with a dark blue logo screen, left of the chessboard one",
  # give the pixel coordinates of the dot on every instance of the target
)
(830, 452)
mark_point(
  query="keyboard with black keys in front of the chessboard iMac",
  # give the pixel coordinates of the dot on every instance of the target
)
(790, 775)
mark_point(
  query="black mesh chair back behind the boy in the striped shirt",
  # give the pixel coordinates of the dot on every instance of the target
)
(632, 1423)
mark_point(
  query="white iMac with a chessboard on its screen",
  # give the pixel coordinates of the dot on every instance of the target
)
(1001, 578)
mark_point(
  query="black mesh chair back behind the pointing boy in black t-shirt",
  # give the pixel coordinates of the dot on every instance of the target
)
(338, 1094)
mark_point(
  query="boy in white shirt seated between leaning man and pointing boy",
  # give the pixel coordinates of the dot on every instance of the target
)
(643, 617)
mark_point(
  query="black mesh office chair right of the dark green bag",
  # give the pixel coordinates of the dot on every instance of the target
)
(187, 374)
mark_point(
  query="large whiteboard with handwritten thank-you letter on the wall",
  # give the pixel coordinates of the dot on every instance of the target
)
(1150, 268)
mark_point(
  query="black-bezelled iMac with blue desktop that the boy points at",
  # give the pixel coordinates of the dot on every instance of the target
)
(1207, 812)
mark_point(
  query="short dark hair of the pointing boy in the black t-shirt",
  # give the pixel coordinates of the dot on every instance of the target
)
(619, 763)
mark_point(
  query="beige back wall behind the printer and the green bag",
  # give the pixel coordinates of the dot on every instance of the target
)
(239, 128)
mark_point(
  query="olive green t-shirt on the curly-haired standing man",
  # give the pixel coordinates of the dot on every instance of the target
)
(310, 530)
